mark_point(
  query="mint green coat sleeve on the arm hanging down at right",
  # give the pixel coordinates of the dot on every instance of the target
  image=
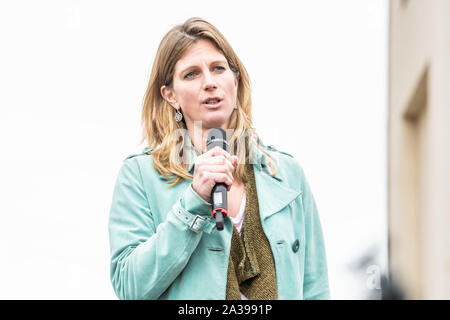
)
(315, 282)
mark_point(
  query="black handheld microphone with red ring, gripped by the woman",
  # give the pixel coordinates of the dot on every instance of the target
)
(217, 137)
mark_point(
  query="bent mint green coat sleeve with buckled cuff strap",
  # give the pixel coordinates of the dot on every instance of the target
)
(145, 260)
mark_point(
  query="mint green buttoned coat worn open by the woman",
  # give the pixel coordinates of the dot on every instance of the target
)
(164, 244)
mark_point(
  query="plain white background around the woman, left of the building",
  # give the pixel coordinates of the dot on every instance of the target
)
(73, 76)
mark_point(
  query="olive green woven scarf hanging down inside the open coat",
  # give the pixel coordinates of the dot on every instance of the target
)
(251, 268)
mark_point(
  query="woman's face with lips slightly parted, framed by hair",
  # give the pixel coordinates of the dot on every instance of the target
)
(200, 74)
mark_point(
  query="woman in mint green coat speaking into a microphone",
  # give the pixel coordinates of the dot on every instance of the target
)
(164, 243)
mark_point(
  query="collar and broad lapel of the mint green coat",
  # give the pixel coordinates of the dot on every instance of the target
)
(273, 193)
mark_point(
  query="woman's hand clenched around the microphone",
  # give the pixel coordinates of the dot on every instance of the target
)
(212, 167)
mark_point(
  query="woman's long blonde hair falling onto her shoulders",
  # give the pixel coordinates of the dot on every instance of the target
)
(159, 126)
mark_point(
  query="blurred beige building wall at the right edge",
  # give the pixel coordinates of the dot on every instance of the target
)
(419, 147)
